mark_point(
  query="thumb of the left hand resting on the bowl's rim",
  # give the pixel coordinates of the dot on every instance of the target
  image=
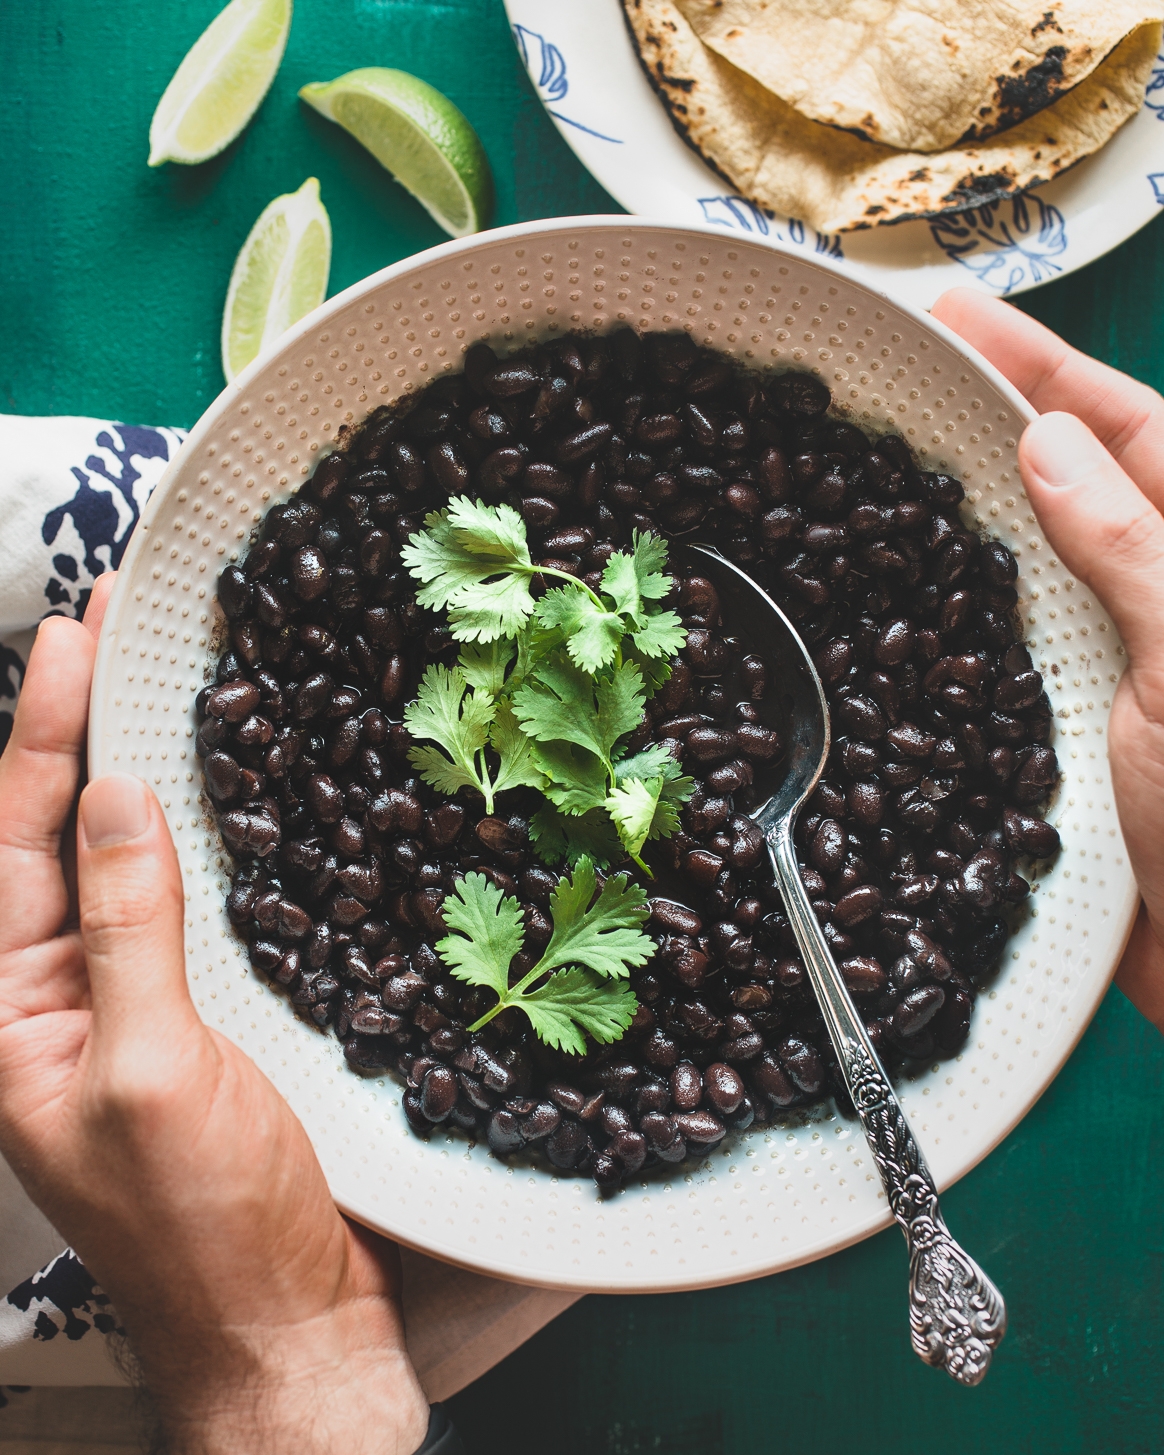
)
(132, 904)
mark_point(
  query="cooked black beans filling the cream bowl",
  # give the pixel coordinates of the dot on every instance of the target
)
(930, 798)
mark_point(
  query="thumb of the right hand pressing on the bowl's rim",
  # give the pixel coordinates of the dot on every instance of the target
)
(1101, 525)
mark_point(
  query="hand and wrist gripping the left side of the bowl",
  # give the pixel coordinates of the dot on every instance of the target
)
(263, 1319)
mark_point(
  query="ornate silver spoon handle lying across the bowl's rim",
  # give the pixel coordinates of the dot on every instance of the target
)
(957, 1315)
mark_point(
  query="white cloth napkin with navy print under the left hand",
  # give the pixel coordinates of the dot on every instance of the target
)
(71, 494)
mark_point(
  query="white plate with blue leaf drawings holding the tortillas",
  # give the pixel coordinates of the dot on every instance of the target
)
(587, 73)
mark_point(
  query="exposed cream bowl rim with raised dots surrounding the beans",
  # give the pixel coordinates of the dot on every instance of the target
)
(766, 1200)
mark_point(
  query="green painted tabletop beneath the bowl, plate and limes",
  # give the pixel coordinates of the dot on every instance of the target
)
(111, 298)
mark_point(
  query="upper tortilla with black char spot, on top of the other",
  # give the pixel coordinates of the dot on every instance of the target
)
(919, 75)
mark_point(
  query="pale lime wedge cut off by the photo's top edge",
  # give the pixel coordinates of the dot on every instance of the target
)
(218, 88)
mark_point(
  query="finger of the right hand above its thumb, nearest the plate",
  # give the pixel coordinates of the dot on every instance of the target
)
(1127, 417)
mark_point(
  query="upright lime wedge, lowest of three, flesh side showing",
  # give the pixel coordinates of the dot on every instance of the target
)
(279, 277)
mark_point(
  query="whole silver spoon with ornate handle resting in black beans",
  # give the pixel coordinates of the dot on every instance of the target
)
(957, 1315)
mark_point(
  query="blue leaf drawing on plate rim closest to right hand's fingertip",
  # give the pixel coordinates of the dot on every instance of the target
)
(1006, 245)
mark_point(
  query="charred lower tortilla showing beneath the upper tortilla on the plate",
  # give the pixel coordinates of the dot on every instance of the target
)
(836, 181)
